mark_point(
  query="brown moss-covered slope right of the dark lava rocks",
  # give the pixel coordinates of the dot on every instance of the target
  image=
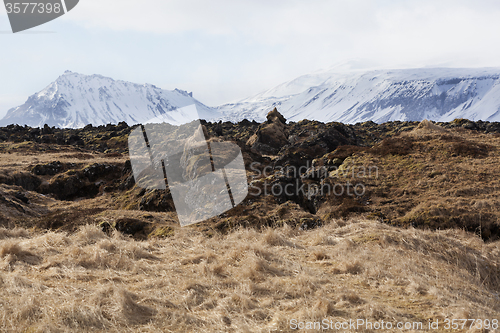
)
(431, 180)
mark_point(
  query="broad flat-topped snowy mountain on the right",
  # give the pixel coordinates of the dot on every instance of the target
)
(440, 94)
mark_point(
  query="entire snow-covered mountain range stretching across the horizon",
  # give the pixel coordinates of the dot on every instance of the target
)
(339, 94)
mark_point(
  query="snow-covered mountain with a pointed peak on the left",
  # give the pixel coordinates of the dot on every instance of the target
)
(75, 100)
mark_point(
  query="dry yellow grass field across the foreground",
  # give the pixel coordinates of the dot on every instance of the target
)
(245, 281)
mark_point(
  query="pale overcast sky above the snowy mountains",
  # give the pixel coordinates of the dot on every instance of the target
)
(226, 50)
